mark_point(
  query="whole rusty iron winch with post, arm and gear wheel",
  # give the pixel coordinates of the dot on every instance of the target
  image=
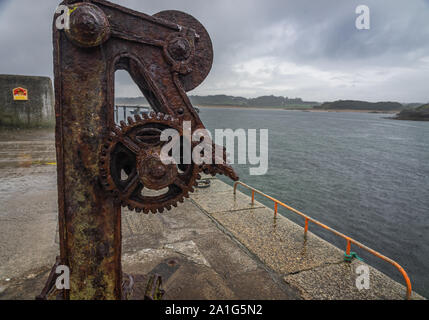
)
(103, 166)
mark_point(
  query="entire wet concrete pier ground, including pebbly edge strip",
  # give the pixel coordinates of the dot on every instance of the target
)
(214, 246)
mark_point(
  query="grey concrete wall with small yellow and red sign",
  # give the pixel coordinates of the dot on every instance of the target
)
(37, 111)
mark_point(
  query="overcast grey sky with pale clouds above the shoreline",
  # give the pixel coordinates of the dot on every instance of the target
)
(295, 48)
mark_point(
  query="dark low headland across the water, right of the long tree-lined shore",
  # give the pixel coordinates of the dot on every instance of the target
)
(360, 105)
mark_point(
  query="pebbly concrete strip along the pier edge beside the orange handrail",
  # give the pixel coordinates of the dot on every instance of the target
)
(311, 265)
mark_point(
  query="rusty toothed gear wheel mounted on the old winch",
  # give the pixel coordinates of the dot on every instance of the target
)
(133, 172)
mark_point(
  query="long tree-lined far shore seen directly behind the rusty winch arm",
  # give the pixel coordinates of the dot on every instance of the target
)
(225, 100)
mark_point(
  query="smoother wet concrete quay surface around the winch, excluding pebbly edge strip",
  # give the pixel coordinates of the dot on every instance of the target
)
(196, 259)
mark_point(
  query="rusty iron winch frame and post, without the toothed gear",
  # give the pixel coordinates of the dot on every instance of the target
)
(166, 54)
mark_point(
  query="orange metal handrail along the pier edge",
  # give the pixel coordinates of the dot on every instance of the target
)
(349, 240)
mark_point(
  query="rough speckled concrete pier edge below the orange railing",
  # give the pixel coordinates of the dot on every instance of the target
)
(325, 279)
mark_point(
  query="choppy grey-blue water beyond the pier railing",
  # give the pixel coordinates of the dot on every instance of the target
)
(362, 174)
